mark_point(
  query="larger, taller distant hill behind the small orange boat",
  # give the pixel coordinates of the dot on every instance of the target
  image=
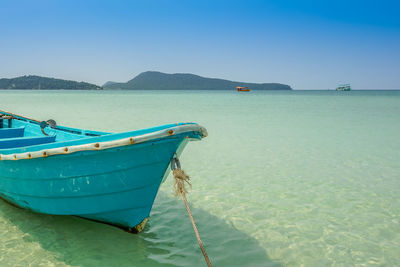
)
(153, 80)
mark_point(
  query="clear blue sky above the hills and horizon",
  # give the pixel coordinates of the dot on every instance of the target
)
(306, 44)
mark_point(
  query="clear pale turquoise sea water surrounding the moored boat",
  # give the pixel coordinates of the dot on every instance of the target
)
(307, 178)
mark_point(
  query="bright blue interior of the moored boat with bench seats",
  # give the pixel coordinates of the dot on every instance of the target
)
(19, 134)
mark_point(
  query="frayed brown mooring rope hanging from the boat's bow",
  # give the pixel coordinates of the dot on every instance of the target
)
(180, 179)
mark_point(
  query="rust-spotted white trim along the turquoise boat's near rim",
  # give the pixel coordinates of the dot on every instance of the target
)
(108, 144)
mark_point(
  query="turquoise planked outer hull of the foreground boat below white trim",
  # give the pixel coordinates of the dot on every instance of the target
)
(116, 186)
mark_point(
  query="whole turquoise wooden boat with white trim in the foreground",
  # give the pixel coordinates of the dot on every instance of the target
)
(107, 177)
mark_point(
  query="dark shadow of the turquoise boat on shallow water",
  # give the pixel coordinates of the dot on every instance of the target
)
(168, 239)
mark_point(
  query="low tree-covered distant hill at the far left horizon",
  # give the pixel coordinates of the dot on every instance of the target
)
(44, 83)
